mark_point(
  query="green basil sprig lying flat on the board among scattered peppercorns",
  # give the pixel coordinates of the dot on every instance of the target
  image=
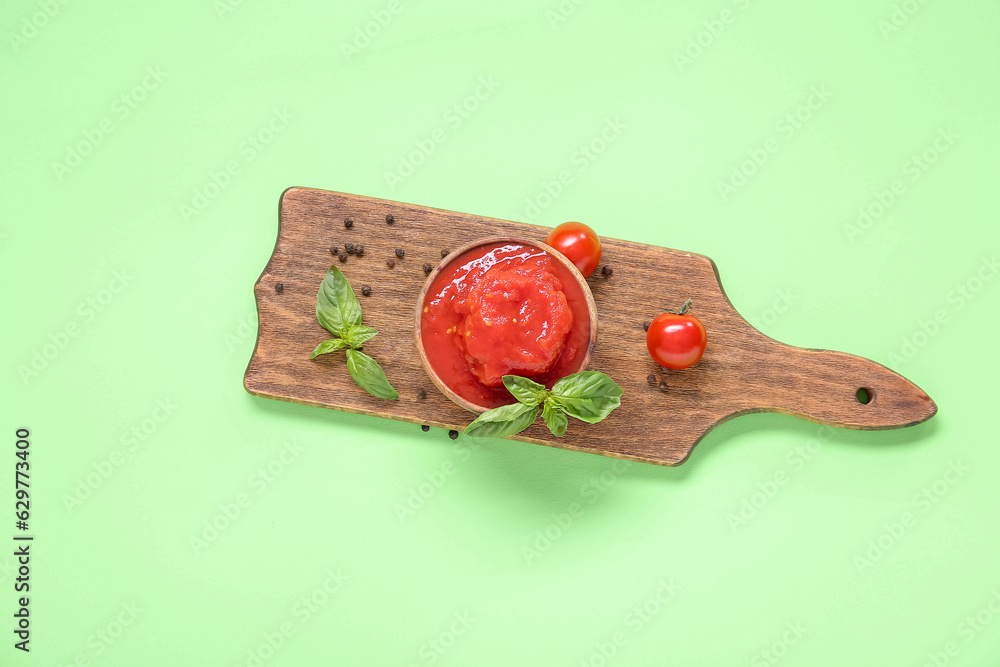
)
(339, 311)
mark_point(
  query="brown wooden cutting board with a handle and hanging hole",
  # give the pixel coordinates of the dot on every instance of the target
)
(743, 371)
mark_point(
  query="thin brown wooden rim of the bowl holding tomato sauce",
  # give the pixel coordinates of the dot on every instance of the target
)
(584, 358)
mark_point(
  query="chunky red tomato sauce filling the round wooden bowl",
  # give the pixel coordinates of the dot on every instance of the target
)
(499, 309)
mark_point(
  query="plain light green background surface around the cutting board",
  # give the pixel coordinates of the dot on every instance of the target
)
(129, 320)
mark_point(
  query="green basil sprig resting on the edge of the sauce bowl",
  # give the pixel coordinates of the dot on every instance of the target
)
(589, 396)
